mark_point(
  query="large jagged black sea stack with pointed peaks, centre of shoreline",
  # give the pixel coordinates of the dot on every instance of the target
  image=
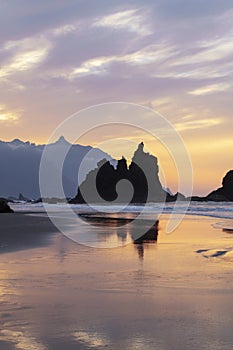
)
(112, 184)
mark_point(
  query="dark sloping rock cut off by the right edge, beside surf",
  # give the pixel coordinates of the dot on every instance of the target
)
(222, 194)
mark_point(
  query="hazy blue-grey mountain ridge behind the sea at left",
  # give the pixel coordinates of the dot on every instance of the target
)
(20, 163)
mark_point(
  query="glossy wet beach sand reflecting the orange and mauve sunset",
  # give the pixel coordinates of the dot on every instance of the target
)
(173, 294)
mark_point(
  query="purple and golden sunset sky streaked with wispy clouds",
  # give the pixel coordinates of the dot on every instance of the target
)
(173, 56)
